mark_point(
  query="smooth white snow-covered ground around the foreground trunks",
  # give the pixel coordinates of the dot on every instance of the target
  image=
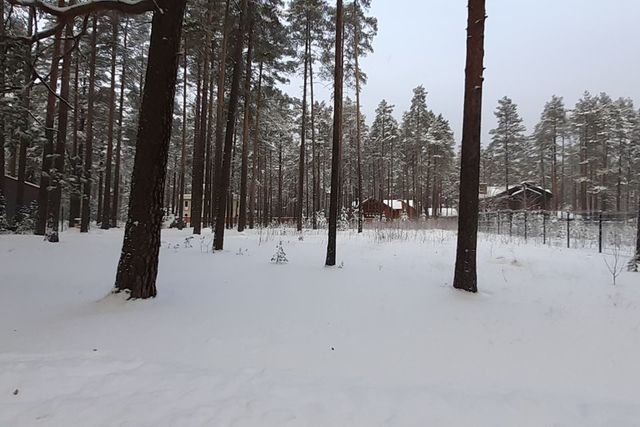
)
(384, 340)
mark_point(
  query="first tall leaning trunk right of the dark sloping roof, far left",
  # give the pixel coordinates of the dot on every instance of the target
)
(47, 154)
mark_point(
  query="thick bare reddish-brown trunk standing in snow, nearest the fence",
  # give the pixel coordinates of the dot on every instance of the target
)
(465, 271)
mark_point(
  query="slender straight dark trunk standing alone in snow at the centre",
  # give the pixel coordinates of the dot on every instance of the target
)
(336, 163)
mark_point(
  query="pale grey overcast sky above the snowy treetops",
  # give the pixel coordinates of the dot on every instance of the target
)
(533, 49)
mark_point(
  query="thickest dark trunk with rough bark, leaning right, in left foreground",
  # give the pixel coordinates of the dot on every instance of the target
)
(138, 266)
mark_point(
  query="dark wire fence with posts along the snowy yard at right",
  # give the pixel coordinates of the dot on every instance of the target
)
(602, 231)
